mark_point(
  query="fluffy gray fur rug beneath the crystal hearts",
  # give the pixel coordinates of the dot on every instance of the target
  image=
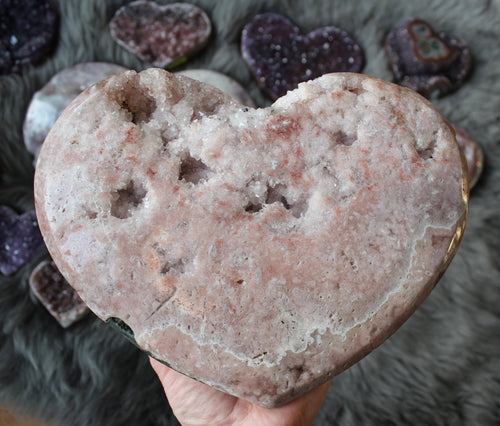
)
(442, 367)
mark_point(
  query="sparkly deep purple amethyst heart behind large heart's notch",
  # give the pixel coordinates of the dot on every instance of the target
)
(280, 57)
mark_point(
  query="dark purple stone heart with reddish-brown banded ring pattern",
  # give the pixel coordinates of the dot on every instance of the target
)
(431, 63)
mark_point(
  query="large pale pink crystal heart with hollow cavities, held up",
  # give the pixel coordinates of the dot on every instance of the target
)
(260, 251)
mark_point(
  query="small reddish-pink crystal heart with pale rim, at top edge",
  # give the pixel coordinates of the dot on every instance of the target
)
(161, 35)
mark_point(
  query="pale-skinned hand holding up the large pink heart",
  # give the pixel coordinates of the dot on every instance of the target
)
(195, 403)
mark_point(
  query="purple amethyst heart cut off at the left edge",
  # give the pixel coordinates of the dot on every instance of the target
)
(20, 239)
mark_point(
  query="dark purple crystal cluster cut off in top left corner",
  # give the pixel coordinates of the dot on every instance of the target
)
(28, 31)
